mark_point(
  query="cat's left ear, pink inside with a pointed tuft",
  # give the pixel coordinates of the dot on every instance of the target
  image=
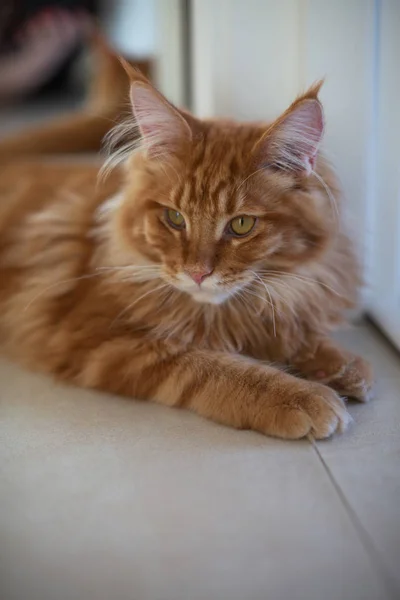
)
(162, 127)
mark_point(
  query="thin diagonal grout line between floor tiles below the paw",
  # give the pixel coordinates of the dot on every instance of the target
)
(364, 537)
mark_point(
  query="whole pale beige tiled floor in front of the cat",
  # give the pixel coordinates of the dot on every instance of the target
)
(103, 498)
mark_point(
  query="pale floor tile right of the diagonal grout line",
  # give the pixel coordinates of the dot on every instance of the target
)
(365, 462)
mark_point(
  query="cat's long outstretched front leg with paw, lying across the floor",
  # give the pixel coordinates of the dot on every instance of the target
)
(226, 388)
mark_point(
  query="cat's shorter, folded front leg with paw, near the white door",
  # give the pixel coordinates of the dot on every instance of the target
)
(348, 374)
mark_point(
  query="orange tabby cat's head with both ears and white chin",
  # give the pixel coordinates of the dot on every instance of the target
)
(217, 204)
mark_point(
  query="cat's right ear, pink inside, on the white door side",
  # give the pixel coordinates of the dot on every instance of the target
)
(292, 142)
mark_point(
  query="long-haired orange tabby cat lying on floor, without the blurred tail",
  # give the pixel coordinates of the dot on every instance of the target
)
(212, 255)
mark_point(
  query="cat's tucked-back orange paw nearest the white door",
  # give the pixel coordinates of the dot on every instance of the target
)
(354, 379)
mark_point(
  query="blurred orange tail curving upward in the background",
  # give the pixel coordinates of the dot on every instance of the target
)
(84, 129)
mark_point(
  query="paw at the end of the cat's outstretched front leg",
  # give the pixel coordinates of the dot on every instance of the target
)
(309, 409)
